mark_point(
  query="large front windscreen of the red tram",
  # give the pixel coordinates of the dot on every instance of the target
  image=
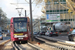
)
(20, 27)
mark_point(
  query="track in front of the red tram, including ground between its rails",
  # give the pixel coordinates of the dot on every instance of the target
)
(27, 46)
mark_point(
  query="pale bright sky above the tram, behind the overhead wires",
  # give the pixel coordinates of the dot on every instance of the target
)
(9, 7)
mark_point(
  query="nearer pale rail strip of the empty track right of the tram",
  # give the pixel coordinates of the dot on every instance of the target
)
(61, 46)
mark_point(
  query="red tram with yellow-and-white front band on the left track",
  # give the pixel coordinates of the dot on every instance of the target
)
(19, 29)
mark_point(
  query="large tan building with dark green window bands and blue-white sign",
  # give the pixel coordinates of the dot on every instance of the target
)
(57, 11)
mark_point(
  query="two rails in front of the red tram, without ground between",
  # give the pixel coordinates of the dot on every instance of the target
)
(18, 47)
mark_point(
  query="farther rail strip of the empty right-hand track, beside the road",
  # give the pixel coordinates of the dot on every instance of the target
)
(58, 41)
